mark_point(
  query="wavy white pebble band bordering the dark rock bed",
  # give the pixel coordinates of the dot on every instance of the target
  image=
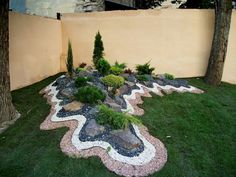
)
(145, 157)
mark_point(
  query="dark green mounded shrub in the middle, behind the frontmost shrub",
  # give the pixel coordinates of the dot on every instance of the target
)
(90, 94)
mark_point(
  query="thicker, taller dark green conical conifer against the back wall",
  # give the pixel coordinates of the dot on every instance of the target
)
(98, 49)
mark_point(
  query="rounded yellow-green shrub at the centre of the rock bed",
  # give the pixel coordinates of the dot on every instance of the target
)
(113, 81)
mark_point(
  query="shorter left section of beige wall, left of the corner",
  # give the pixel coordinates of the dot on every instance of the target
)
(35, 48)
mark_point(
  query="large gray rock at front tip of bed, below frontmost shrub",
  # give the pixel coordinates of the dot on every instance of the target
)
(126, 139)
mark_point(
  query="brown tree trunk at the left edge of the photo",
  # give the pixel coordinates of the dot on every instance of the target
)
(7, 110)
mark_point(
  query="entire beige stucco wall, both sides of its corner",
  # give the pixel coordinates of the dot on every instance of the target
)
(176, 42)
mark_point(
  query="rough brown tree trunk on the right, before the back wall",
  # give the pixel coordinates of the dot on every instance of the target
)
(223, 11)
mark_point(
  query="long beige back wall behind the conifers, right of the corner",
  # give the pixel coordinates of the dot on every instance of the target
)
(176, 41)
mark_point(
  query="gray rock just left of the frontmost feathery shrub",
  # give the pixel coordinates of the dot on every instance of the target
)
(92, 128)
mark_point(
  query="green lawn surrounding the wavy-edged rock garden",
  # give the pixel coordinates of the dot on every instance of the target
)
(201, 129)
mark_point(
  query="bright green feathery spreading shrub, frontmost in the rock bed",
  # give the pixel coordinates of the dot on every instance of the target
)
(115, 119)
